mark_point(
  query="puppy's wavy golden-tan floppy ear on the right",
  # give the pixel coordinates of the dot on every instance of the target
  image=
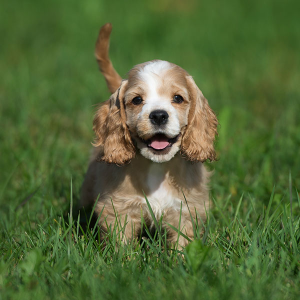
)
(198, 140)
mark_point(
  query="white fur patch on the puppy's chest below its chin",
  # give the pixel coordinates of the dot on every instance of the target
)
(160, 194)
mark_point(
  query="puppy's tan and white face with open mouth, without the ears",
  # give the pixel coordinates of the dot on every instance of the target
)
(157, 104)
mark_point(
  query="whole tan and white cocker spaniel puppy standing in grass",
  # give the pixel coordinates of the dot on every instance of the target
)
(152, 137)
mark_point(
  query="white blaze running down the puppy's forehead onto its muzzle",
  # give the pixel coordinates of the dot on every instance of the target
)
(152, 74)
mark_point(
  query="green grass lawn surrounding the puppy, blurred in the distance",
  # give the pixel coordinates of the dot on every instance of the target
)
(245, 58)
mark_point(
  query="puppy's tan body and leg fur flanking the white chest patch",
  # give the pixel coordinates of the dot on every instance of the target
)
(119, 191)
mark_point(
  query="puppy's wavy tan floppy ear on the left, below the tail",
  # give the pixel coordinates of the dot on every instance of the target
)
(112, 134)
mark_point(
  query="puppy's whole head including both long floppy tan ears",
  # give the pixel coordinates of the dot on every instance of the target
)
(158, 110)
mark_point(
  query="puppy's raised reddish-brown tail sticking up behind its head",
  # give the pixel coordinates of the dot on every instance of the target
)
(113, 79)
